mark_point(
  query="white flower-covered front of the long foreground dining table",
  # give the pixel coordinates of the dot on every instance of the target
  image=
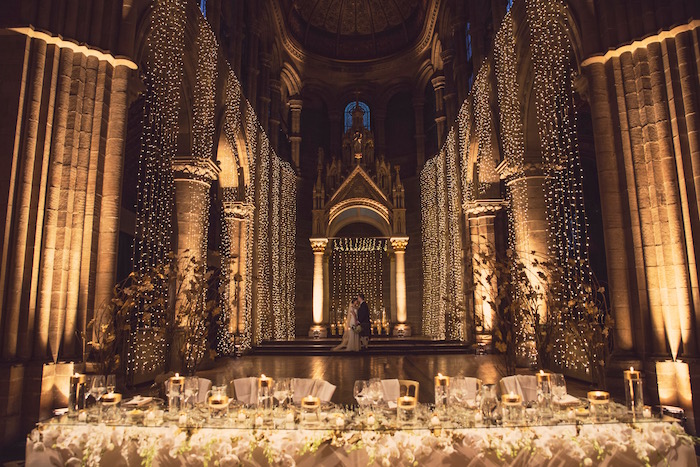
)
(615, 445)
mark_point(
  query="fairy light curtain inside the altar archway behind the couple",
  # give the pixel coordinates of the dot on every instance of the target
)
(357, 265)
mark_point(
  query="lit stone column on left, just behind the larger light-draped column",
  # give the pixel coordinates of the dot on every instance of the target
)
(236, 216)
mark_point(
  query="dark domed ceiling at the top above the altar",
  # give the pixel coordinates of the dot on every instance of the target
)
(355, 29)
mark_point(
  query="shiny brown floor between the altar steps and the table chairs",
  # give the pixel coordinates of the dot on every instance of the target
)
(343, 370)
